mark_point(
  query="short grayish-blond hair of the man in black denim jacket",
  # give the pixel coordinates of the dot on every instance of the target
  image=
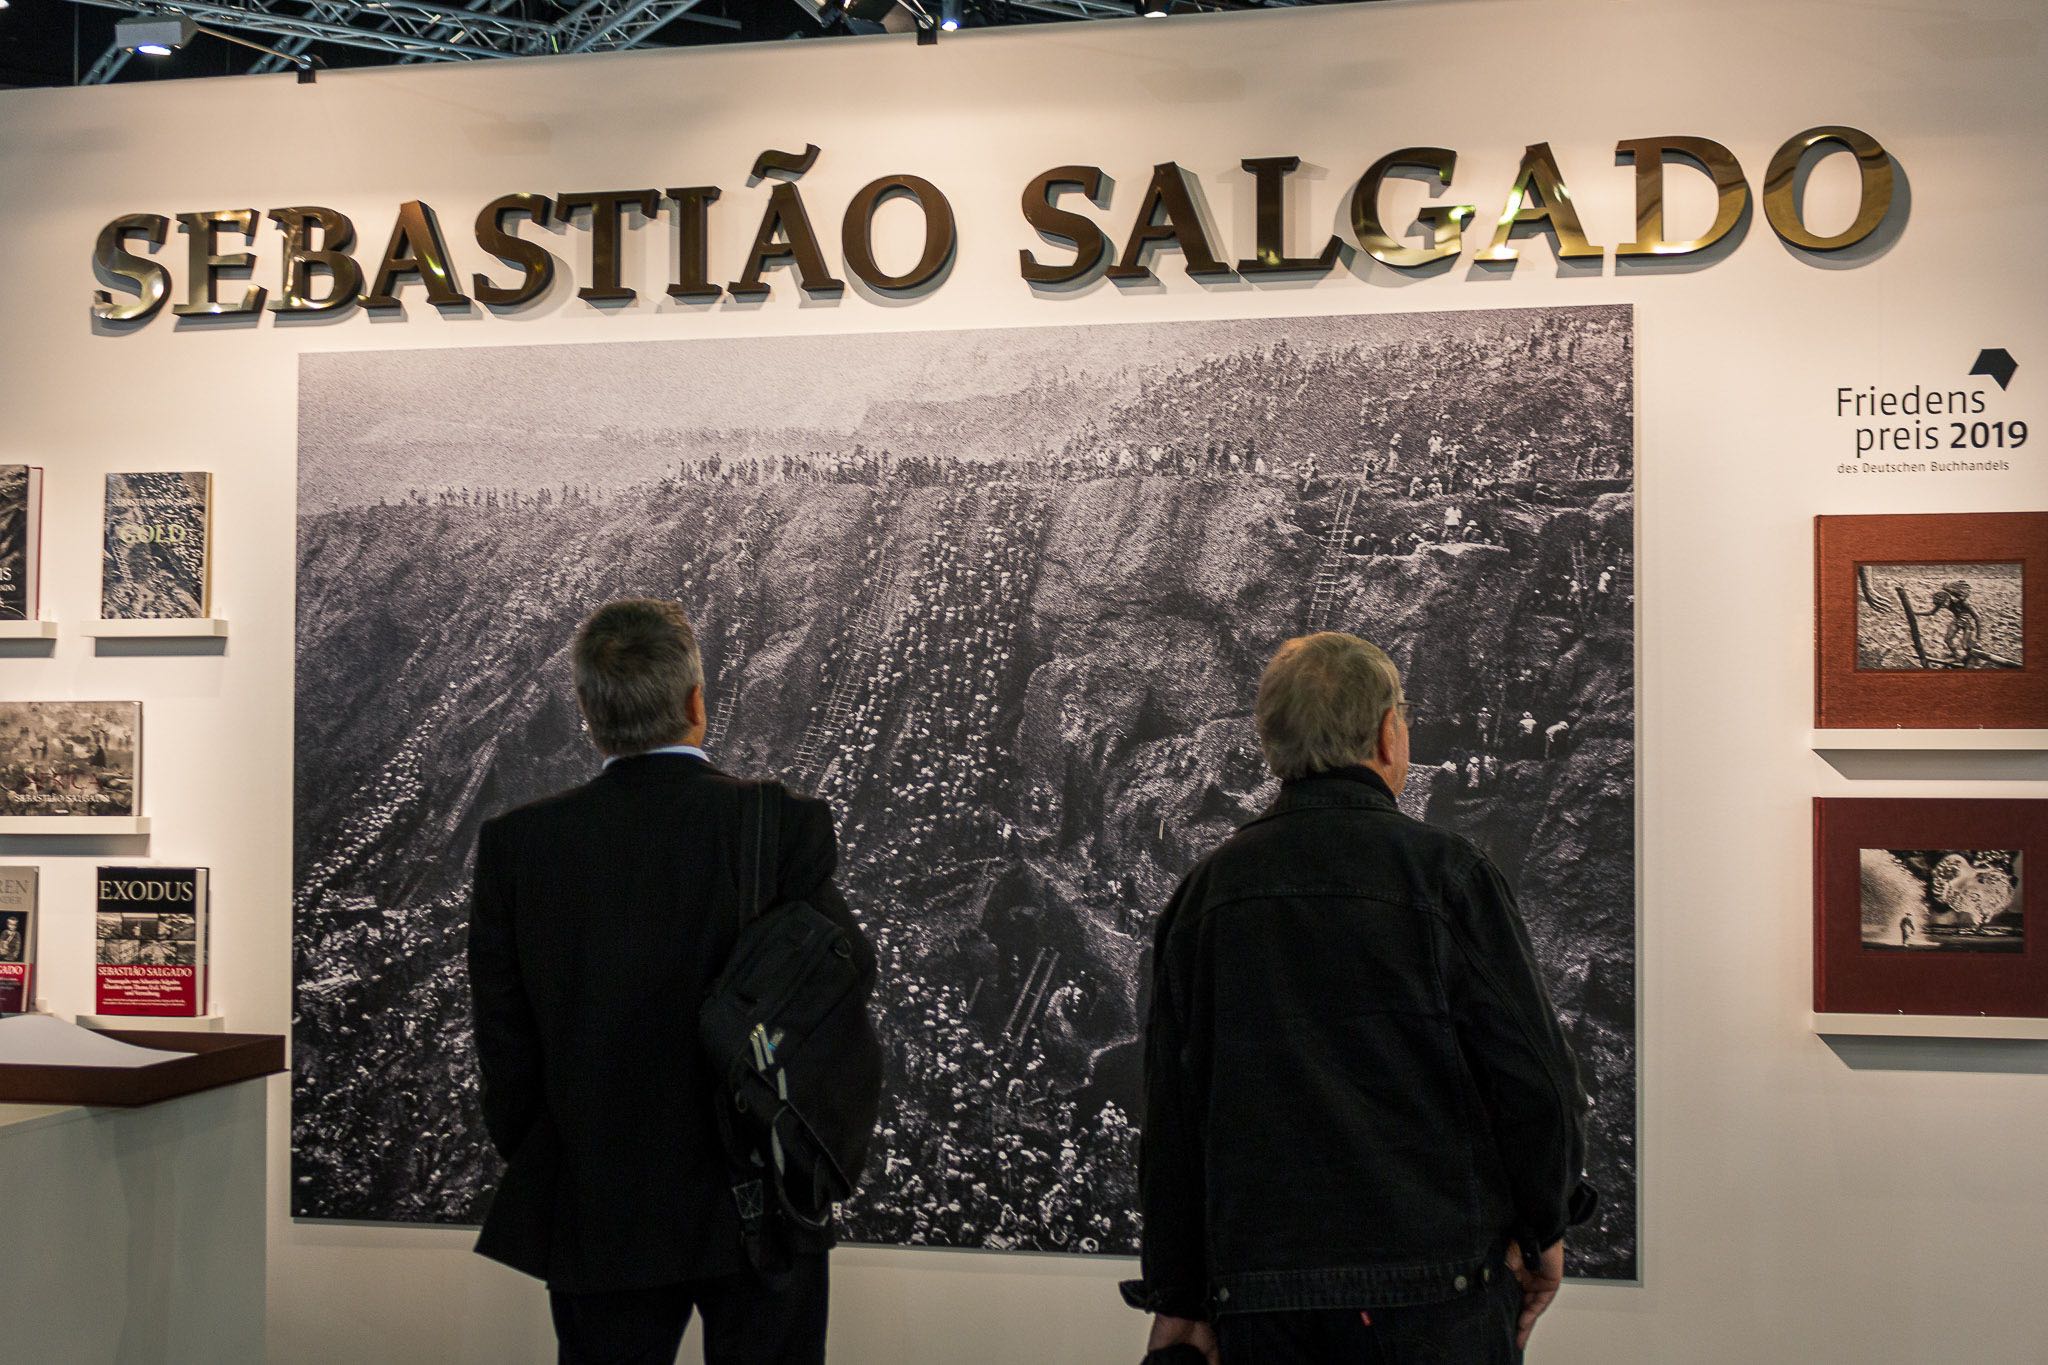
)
(1322, 703)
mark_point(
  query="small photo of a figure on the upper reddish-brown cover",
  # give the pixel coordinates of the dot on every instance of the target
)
(1940, 617)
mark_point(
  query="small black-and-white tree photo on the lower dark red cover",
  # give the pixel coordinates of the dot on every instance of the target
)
(1943, 901)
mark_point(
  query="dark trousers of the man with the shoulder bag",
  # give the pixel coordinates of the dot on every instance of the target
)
(749, 1321)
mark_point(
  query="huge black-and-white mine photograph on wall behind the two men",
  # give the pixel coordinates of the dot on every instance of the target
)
(1005, 601)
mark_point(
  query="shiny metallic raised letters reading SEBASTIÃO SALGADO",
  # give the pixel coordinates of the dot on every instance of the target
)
(318, 271)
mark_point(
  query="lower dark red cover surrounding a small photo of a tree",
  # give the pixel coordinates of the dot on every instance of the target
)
(1852, 979)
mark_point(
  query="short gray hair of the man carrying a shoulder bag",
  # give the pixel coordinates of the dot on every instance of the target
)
(636, 664)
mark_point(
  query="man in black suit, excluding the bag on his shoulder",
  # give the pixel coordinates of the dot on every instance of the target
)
(601, 920)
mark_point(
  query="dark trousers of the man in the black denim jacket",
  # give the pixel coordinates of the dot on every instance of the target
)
(1474, 1329)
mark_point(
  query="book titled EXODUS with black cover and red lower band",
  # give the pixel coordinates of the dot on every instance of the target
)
(151, 926)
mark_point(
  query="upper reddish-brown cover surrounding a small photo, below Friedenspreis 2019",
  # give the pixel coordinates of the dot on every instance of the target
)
(1981, 697)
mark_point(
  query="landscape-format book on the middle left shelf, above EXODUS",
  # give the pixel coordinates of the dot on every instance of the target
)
(71, 758)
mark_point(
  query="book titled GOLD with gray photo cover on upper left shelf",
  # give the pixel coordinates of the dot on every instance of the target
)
(159, 547)
